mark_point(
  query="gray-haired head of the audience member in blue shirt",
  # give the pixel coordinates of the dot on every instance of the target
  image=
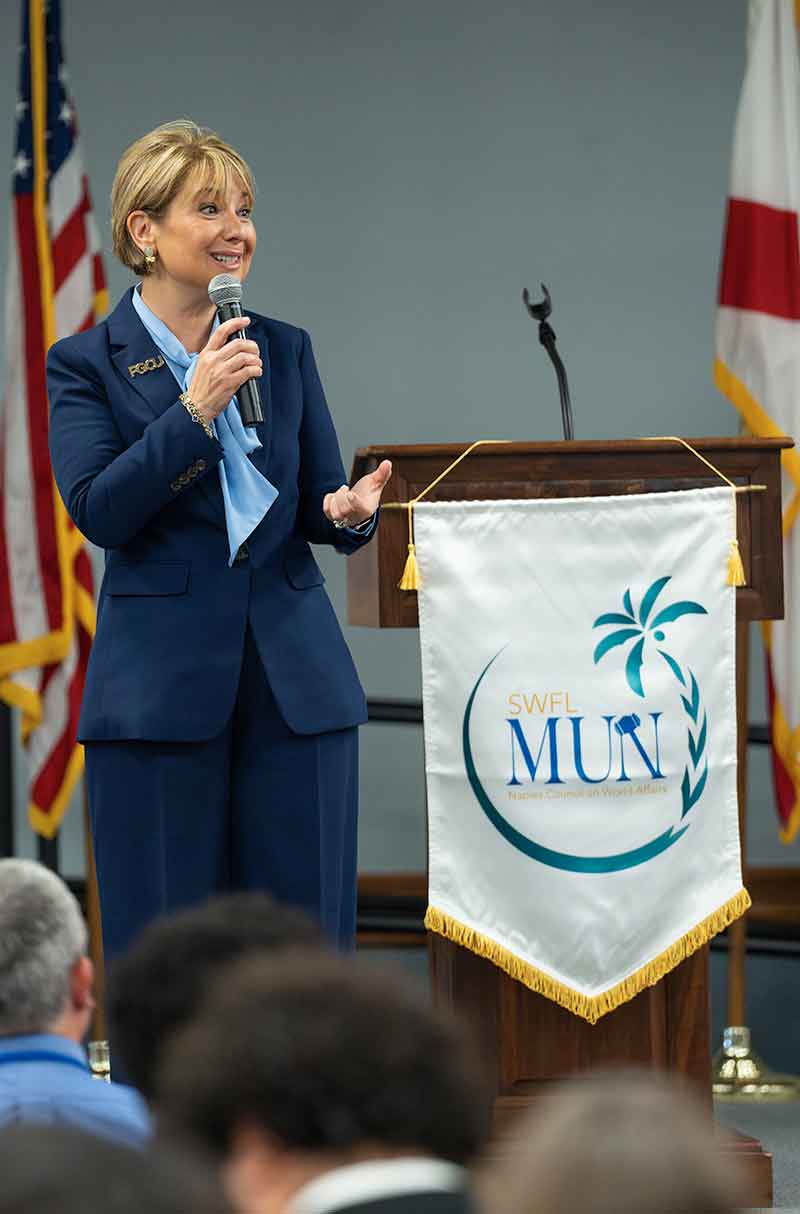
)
(46, 975)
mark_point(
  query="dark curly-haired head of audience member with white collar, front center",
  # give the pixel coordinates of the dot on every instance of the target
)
(313, 1063)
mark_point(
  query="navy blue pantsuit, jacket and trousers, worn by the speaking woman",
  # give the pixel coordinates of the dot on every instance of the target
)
(222, 701)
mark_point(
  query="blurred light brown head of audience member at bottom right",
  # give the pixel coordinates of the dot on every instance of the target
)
(615, 1143)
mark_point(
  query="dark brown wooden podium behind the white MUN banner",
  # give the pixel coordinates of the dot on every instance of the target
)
(529, 1040)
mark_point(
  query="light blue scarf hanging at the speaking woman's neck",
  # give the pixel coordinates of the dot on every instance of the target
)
(246, 492)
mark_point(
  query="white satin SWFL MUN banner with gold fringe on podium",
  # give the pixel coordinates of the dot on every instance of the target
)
(580, 699)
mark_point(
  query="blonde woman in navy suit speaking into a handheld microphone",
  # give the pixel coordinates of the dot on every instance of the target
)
(222, 705)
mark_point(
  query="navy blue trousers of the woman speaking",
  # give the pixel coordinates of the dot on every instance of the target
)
(257, 808)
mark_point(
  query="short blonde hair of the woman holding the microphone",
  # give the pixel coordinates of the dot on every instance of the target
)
(157, 167)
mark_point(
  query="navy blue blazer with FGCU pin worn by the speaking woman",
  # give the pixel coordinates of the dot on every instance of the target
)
(140, 479)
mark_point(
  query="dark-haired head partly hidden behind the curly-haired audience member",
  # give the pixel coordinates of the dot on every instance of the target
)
(161, 983)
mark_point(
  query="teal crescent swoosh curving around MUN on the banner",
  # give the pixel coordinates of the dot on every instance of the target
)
(547, 855)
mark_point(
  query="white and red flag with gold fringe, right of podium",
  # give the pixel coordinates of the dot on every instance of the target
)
(758, 331)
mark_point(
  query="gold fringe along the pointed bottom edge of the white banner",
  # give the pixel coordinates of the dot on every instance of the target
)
(589, 1008)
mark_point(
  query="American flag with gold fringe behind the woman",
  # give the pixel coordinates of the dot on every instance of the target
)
(55, 287)
